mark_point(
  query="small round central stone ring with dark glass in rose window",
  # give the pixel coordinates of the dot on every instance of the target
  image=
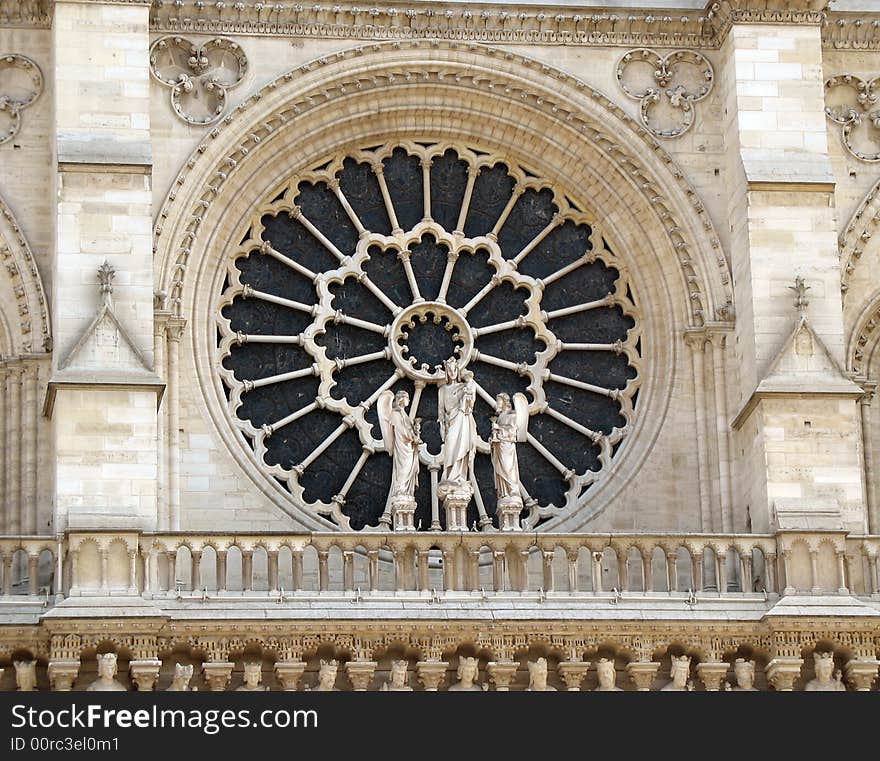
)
(427, 333)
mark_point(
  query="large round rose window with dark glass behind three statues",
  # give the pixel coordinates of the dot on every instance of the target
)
(367, 272)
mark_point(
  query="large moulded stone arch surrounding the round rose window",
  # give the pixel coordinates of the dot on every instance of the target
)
(467, 95)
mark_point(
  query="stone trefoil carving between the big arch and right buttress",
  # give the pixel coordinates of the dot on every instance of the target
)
(667, 87)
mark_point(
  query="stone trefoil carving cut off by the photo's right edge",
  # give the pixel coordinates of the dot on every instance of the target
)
(852, 102)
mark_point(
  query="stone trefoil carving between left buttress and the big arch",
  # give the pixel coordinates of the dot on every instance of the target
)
(198, 75)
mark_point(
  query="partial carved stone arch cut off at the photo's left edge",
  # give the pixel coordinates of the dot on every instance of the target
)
(24, 312)
